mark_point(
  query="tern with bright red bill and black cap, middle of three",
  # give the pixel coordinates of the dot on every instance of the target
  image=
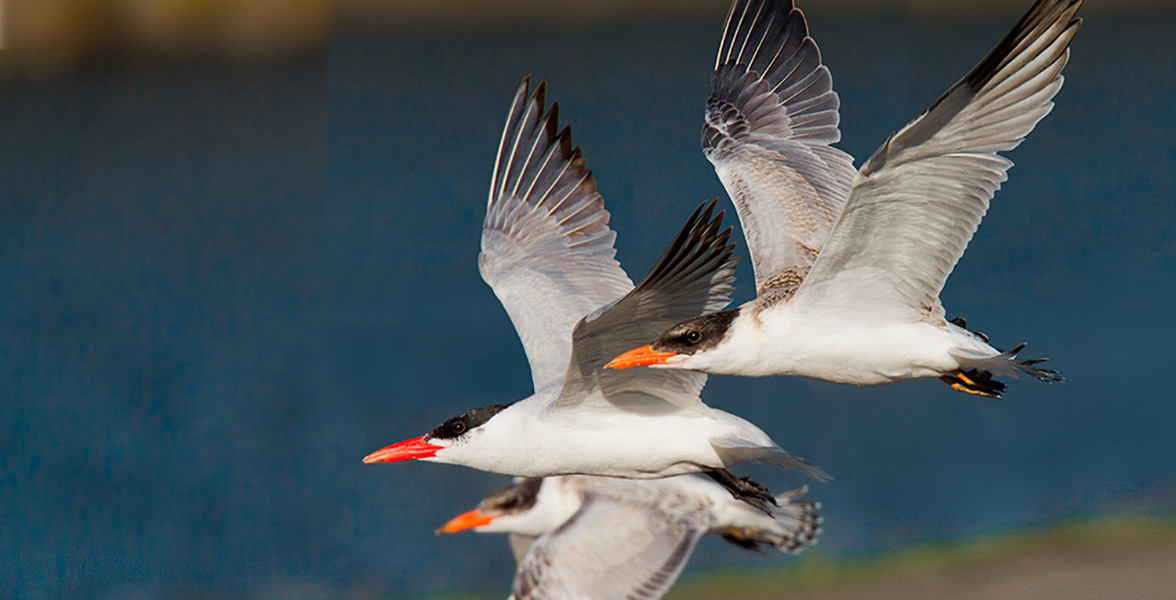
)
(547, 252)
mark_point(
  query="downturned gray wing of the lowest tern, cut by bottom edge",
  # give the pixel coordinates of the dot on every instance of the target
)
(611, 549)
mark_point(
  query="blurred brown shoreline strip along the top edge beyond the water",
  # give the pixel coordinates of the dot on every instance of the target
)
(54, 36)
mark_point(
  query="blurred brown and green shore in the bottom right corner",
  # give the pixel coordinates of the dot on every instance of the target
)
(1124, 558)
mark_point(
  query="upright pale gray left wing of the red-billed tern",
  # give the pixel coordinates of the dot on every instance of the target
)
(547, 250)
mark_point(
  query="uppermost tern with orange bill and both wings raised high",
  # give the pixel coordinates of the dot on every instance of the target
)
(854, 299)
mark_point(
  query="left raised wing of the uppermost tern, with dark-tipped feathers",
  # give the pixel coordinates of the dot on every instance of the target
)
(772, 119)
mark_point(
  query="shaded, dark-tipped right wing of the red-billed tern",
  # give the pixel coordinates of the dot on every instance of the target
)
(694, 276)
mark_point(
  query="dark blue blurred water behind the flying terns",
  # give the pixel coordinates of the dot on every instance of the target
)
(224, 284)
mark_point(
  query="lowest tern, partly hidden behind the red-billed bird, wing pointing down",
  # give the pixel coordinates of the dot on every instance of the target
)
(617, 538)
